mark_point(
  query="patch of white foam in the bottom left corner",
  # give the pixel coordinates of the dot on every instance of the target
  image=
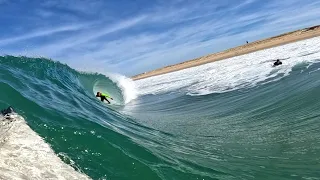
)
(25, 155)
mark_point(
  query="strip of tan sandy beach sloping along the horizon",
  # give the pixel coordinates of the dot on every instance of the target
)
(240, 50)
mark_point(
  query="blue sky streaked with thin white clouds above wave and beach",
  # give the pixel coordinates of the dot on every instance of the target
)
(134, 36)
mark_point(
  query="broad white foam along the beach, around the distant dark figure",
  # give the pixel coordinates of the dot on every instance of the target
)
(234, 73)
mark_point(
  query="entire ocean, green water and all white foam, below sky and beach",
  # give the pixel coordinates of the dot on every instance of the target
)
(238, 118)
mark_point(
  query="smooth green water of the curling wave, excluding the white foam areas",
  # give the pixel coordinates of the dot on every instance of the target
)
(269, 131)
